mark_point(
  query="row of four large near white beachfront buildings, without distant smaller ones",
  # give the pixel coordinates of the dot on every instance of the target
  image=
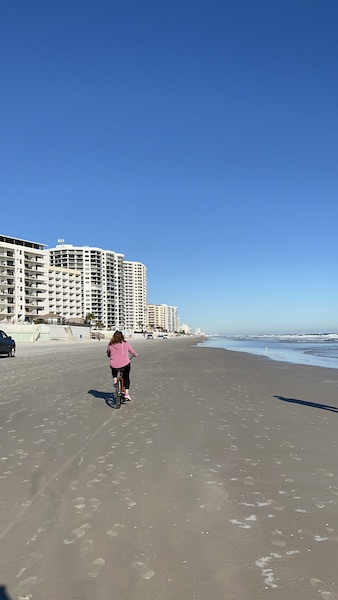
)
(70, 282)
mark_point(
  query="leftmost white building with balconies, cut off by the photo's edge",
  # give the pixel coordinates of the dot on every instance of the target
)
(23, 290)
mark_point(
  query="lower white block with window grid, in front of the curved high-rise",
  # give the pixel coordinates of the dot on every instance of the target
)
(64, 293)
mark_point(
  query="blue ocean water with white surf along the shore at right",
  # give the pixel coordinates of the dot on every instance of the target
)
(317, 349)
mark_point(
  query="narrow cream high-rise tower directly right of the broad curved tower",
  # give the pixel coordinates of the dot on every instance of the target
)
(135, 295)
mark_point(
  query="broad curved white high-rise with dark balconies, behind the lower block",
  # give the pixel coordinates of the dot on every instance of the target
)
(102, 280)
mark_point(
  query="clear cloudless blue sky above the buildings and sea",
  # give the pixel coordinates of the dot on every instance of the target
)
(200, 138)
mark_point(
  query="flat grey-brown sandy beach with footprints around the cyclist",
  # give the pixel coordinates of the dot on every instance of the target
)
(217, 481)
